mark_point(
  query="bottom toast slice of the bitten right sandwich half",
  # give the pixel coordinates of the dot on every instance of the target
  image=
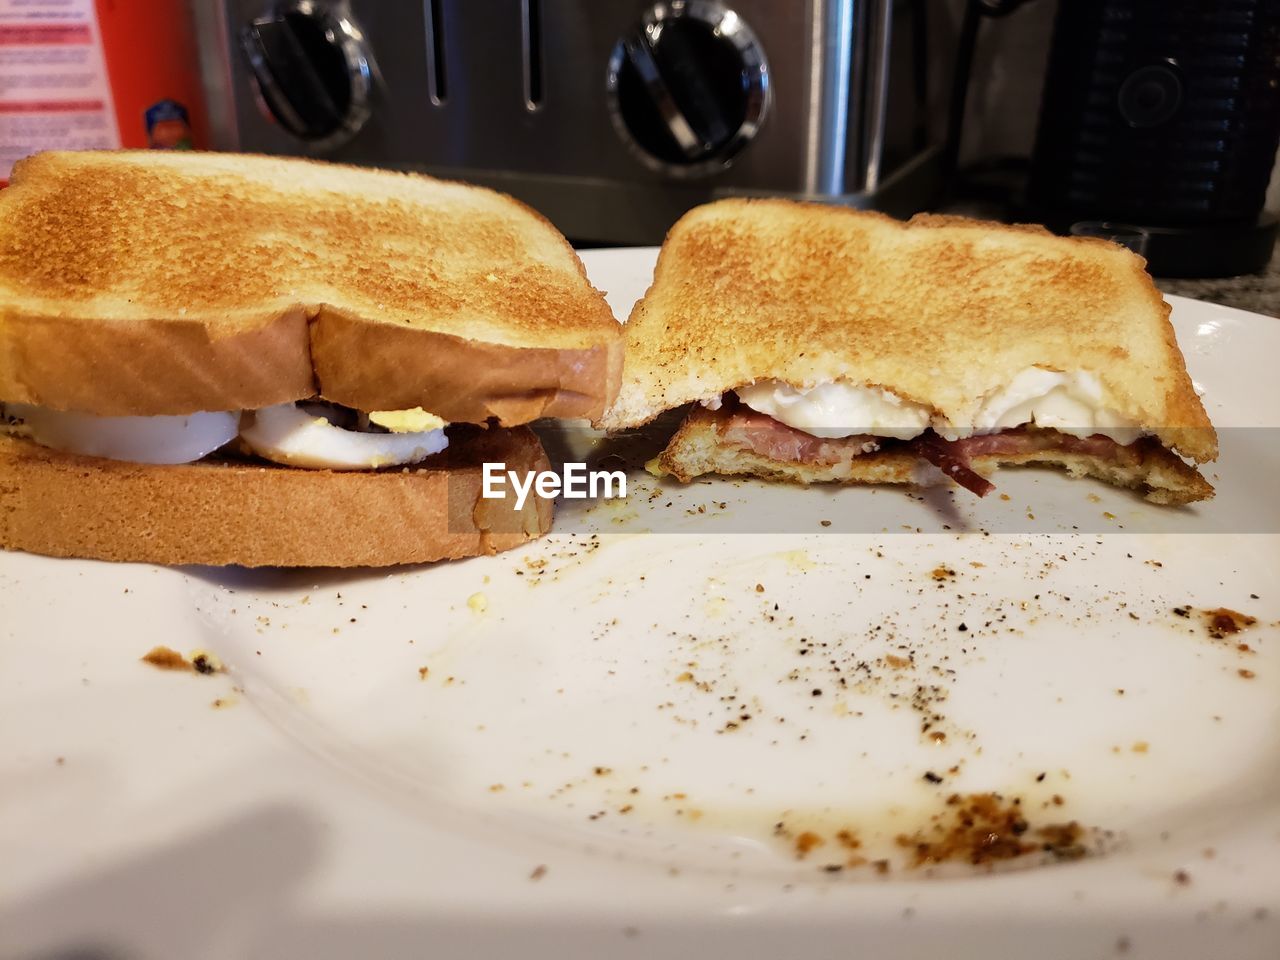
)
(702, 447)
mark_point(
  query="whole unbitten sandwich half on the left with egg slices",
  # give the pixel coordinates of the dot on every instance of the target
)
(222, 359)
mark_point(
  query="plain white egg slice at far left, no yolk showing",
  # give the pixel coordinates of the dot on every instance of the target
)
(161, 440)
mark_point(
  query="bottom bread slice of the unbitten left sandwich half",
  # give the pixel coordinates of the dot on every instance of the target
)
(222, 513)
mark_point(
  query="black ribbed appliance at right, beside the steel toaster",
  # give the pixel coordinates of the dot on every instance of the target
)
(1160, 126)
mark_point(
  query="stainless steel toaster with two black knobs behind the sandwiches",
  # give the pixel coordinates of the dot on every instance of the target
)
(611, 117)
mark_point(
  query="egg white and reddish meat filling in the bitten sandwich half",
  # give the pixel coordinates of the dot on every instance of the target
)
(1037, 412)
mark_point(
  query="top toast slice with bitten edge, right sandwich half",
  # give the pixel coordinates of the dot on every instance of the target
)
(941, 312)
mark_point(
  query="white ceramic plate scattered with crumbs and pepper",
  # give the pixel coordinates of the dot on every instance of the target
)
(586, 748)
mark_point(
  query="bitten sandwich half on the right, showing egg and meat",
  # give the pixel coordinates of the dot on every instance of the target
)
(829, 345)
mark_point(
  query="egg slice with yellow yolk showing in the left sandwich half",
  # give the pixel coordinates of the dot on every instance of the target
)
(289, 435)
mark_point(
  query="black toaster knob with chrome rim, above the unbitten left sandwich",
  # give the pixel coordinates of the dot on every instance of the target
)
(313, 71)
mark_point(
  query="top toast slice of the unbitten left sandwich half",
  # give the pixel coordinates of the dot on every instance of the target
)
(149, 282)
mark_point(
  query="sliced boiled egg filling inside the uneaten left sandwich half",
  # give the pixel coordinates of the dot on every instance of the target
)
(312, 436)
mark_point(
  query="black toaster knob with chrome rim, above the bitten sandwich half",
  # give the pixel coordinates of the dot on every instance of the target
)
(689, 86)
